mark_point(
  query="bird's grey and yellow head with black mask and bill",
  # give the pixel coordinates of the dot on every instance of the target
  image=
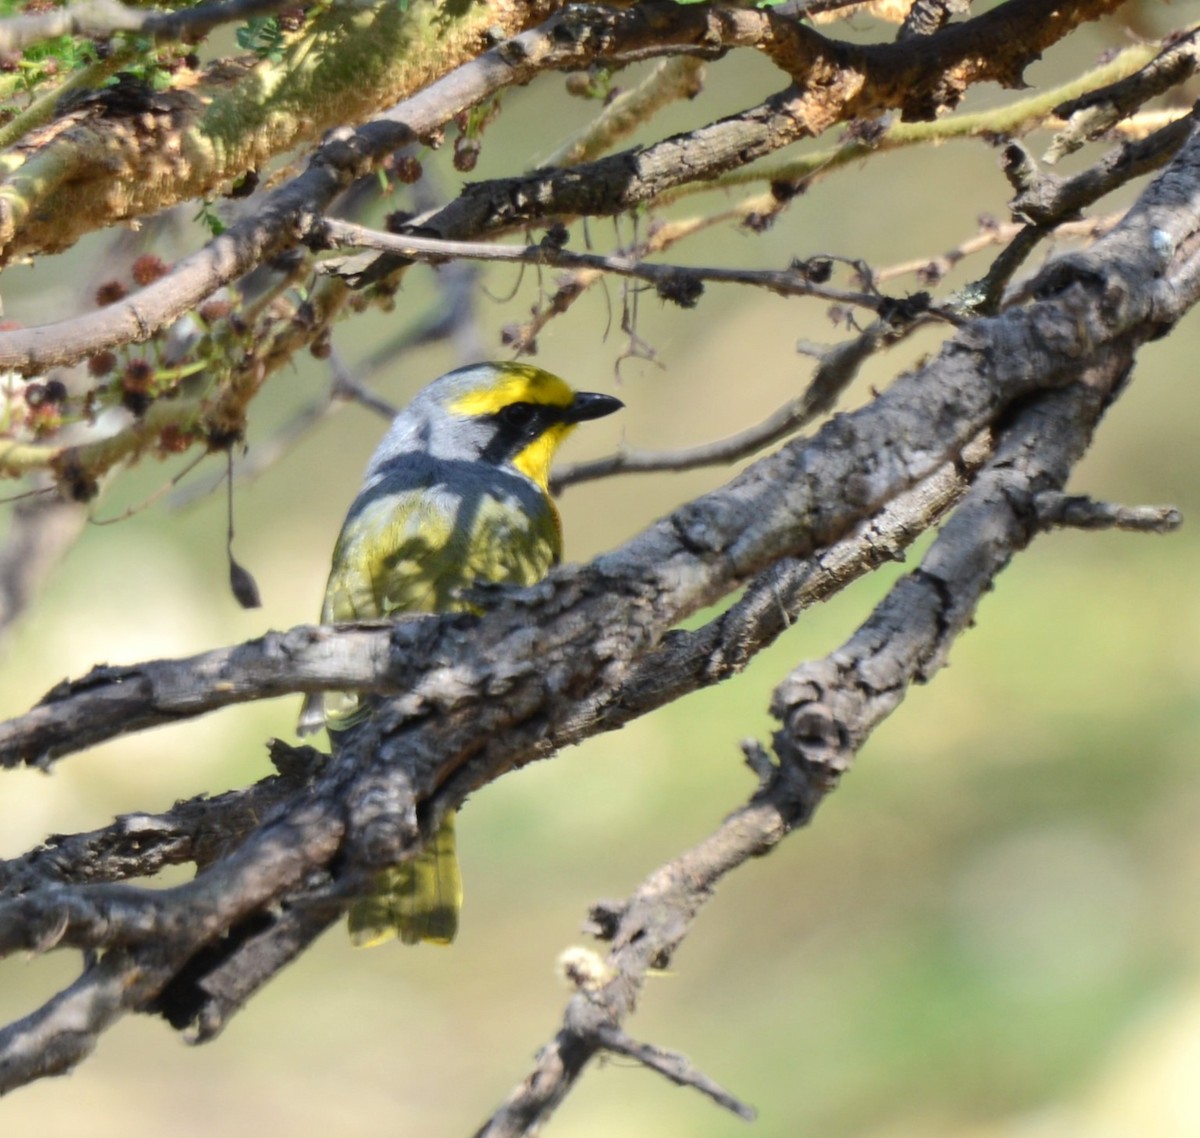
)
(506, 415)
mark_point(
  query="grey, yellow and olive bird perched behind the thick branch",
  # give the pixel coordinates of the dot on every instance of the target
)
(457, 496)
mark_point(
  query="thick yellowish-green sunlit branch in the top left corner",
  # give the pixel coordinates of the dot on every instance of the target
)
(116, 155)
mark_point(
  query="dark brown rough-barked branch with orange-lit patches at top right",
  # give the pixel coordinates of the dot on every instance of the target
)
(836, 83)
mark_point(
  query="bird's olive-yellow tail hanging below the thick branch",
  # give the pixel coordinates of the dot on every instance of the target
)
(416, 901)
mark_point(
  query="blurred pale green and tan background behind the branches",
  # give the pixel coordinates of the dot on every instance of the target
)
(991, 930)
